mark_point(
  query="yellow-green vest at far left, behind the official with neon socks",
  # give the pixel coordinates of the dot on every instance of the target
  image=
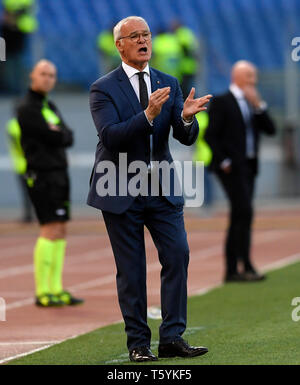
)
(13, 130)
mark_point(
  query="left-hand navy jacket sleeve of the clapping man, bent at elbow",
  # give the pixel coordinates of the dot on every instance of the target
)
(116, 135)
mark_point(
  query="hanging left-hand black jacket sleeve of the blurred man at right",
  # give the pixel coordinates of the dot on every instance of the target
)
(213, 134)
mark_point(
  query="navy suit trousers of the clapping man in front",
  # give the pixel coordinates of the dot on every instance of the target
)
(126, 232)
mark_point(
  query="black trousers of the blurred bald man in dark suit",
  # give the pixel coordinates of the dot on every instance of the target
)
(239, 188)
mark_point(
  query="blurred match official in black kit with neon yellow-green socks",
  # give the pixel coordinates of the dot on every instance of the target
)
(44, 138)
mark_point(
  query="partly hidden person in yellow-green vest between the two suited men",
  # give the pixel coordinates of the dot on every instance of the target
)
(203, 153)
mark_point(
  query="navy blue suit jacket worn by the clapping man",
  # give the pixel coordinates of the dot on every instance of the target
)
(123, 128)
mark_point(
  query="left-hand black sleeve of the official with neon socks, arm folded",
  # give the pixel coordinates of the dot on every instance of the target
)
(34, 125)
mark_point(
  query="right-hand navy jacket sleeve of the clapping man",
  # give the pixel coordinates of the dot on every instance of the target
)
(186, 135)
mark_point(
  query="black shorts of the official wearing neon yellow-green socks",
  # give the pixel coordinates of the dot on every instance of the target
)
(49, 192)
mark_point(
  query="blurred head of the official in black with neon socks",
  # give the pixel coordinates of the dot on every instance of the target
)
(43, 76)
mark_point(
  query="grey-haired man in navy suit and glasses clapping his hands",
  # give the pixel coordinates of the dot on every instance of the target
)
(133, 108)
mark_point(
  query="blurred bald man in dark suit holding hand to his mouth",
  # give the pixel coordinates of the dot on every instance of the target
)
(236, 120)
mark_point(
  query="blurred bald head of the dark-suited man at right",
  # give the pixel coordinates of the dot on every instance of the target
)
(244, 74)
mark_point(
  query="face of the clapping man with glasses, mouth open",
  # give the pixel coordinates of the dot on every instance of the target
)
(135, 49)
